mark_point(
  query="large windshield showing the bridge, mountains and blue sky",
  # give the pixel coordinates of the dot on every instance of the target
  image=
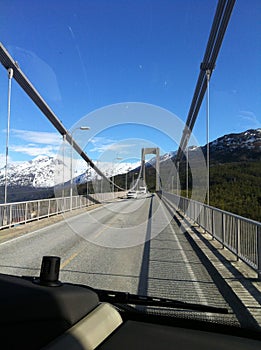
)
(130, 148)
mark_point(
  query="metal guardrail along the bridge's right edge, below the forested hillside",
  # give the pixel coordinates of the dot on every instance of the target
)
(240, 235)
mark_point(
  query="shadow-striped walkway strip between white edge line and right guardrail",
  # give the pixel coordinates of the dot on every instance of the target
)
(235, 281)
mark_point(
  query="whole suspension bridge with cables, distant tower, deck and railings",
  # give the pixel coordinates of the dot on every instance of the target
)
(202, 248)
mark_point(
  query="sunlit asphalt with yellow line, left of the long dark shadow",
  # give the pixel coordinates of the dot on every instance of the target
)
(98, 248)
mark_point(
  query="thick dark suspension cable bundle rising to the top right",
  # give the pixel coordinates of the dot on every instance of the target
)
(218, 29)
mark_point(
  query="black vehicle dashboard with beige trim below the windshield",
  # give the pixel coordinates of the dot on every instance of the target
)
(41, 314)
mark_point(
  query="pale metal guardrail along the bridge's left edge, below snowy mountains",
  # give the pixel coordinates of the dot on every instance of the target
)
(12, 214)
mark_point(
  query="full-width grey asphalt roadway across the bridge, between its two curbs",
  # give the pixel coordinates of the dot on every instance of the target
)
(130, 245)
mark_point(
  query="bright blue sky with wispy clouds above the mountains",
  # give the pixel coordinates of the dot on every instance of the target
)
(85, 55)
